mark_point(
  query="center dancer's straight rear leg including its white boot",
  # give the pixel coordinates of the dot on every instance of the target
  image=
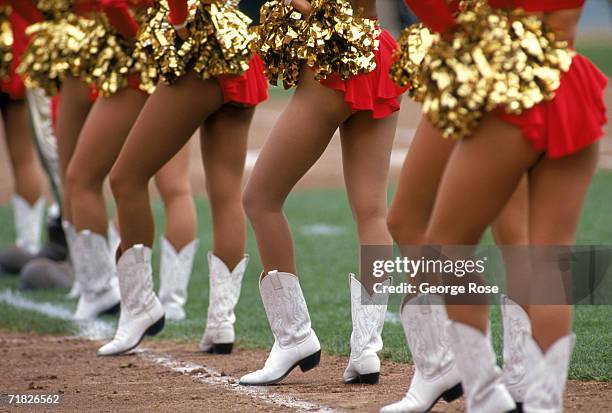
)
(366, 153)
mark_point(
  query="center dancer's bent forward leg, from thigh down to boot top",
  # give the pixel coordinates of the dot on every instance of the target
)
(298, 139)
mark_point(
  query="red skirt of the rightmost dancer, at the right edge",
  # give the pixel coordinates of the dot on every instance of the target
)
(573, 119)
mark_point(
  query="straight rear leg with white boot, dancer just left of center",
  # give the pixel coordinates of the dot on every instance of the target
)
(224, 144)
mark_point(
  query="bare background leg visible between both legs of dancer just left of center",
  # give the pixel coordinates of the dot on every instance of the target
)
(175, 188)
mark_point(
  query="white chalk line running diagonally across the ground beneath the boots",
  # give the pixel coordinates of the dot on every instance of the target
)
(98, 329)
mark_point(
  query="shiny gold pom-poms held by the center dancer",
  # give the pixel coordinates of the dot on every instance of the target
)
(331, 40)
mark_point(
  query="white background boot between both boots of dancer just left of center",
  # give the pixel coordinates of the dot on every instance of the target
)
(175, 270)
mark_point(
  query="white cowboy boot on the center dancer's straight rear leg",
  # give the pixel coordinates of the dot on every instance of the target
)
(368, 316)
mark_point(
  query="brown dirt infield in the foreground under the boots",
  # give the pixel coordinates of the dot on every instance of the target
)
(49, 364)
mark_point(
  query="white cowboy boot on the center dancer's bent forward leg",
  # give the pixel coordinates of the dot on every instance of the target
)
(295, 342)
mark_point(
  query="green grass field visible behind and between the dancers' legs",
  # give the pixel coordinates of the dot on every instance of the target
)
(324, 263)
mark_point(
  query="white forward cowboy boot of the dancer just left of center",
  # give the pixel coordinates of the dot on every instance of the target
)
(141, 312)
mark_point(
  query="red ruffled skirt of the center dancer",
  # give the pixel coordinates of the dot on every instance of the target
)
(373, 91)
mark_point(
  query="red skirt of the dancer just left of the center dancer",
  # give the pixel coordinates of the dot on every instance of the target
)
(249, 89)
